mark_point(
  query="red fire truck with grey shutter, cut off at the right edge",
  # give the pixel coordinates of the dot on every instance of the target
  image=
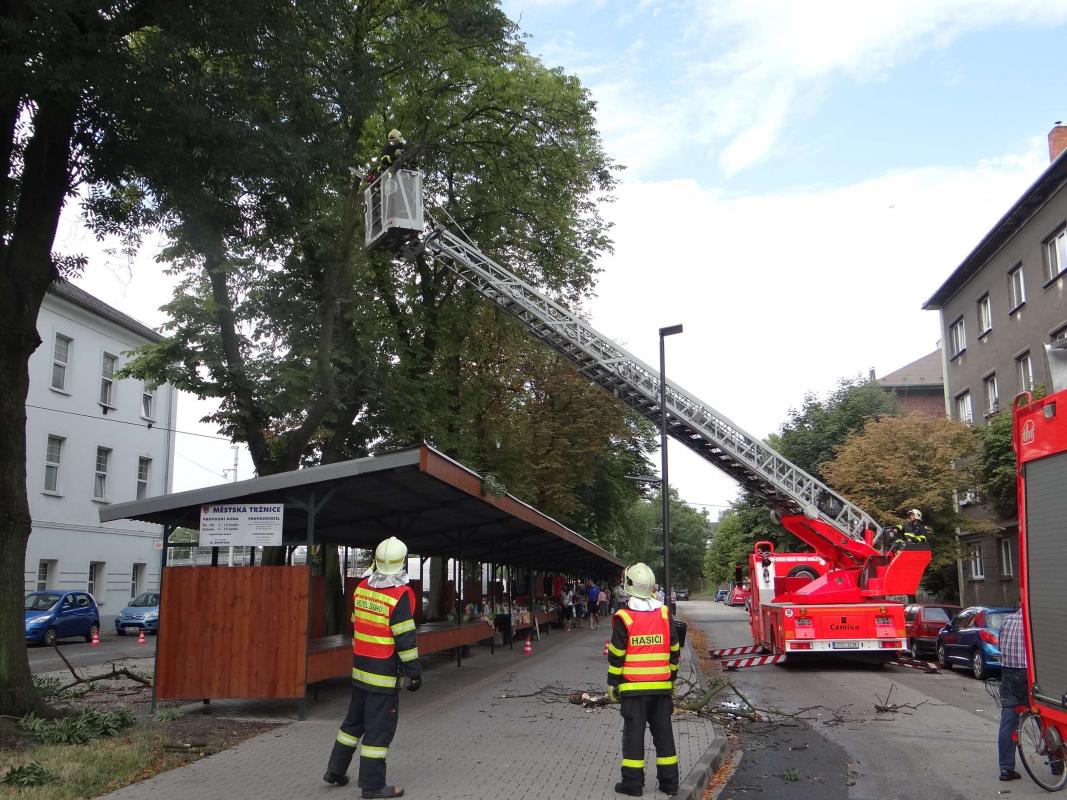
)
(1040, 435)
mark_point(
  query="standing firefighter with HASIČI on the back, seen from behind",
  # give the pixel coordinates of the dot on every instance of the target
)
(643, 665)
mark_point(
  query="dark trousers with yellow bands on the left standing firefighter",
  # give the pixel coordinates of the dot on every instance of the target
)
(370, 726)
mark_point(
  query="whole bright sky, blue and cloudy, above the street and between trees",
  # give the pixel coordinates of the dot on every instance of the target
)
(798, 174)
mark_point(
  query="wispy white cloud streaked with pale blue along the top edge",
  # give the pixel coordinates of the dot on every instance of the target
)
(781, 52)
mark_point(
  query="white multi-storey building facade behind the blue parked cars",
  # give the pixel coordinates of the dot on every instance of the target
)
(93, 440)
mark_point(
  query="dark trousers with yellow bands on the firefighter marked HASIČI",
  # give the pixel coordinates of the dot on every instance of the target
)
(654, 711)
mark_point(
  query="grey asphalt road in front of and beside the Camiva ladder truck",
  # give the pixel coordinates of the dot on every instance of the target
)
(944, 750)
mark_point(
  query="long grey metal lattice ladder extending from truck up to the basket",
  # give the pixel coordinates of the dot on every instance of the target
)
(761, 471)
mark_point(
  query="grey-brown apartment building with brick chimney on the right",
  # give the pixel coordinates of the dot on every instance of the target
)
(999, 310)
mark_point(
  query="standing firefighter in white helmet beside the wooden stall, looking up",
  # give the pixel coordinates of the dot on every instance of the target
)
(384, 649)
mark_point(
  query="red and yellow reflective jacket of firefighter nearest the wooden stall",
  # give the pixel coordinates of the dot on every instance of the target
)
(384, 642)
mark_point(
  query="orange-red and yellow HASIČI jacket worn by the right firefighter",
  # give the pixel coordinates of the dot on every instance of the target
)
(643, 655)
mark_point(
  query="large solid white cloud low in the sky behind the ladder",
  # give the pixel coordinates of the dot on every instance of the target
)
(787, 293)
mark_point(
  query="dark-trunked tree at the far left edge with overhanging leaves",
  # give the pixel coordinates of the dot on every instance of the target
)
(73, 81)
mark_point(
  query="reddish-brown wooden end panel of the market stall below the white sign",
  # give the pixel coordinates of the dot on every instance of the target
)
(233, 633)
